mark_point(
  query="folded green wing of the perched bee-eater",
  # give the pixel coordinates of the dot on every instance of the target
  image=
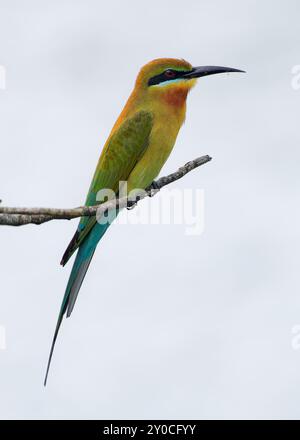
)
(120, 155)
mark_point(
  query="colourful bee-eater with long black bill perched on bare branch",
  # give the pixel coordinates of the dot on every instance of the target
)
(137, 147)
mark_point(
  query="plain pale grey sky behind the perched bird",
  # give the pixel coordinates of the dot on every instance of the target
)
(166, 325)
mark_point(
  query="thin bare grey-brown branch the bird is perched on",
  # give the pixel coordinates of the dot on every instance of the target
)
(24, 216)
